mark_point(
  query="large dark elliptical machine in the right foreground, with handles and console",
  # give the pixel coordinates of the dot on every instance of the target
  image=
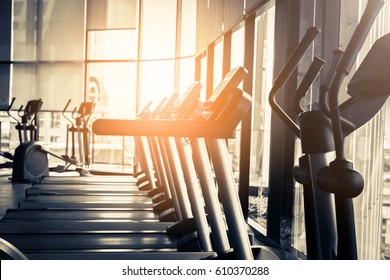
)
(330, 224)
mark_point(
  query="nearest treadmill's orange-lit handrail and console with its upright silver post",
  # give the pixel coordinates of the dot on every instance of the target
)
(222, 114)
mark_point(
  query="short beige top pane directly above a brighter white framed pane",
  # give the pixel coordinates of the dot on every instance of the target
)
(109, 14)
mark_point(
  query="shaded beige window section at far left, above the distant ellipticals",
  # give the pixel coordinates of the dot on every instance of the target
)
(48, 51)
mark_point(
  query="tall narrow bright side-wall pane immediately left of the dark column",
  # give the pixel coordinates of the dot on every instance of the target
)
(261, 116)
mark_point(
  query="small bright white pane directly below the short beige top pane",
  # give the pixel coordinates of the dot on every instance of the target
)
(112, 44)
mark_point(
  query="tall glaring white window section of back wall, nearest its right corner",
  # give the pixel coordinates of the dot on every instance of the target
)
(158, 50)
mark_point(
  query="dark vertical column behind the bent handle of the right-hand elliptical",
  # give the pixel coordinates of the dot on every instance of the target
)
(281, 183)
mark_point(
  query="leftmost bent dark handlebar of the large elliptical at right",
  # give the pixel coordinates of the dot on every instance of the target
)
(286, 72)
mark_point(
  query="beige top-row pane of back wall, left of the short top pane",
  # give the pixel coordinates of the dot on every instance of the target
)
(61, 36)
